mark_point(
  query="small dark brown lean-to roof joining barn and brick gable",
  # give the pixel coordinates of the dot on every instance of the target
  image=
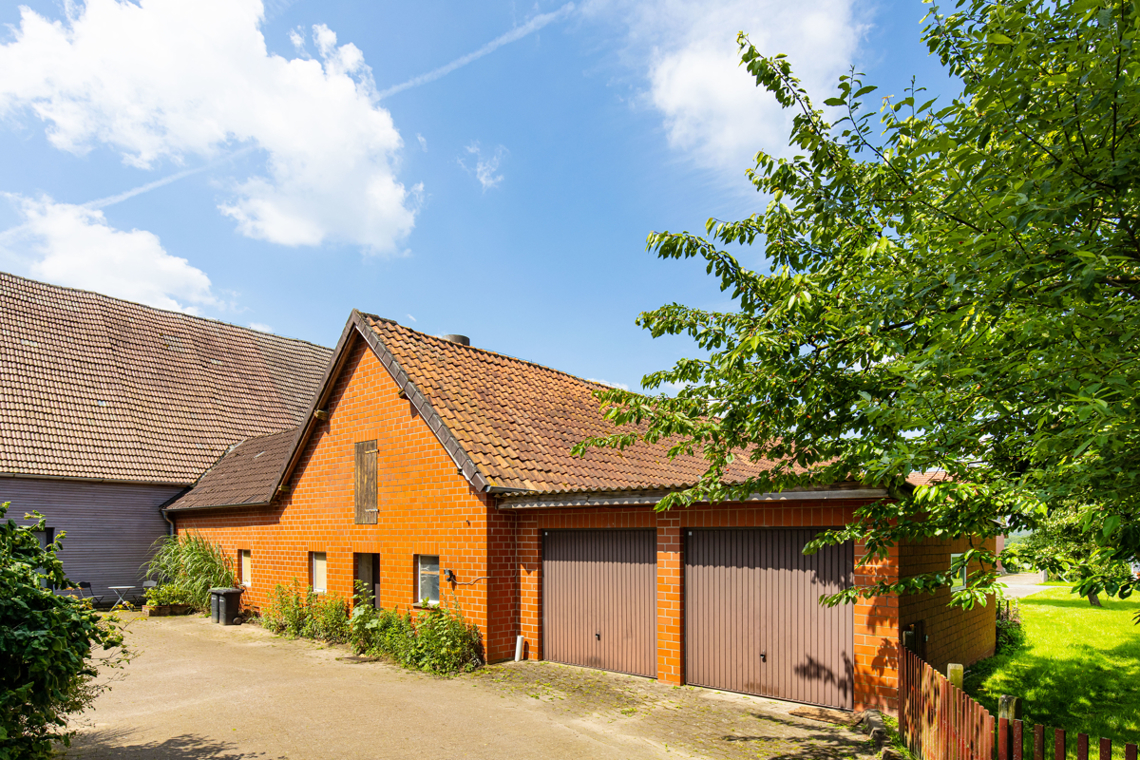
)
(248, 475)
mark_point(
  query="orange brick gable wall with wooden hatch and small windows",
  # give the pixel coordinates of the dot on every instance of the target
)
(426, 508)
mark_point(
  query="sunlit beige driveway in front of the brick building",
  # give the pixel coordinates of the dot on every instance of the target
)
(202, 691)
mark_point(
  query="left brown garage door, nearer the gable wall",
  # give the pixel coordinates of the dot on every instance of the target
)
(600, 600)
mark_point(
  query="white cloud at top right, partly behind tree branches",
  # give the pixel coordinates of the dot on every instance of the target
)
(712, 109)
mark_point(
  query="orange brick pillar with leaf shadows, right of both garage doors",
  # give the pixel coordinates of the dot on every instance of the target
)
(877, 638)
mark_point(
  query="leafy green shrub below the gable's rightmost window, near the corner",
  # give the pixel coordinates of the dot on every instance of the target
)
(438, 640)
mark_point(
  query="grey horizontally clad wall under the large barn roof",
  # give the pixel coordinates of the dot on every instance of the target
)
(110, 527)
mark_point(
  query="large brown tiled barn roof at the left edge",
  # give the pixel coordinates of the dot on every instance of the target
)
(97, 388)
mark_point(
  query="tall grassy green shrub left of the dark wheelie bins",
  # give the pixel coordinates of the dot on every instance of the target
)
(193, 566)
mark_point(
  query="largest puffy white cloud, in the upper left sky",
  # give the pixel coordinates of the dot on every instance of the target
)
(165, 80)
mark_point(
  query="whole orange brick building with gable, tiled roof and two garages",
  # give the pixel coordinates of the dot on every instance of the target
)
(431, 469)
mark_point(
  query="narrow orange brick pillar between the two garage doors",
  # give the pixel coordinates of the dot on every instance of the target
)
(671, 614)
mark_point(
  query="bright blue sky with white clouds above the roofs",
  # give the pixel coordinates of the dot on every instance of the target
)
(490, 169)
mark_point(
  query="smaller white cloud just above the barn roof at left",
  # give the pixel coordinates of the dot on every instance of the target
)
(72, 246)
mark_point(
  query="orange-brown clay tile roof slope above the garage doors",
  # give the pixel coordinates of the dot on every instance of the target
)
(519, 421)
